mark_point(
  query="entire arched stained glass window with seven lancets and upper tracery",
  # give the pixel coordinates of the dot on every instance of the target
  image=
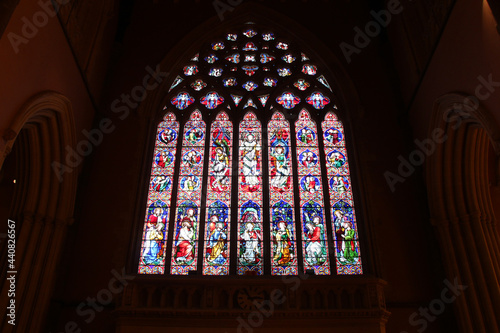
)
(230, 200)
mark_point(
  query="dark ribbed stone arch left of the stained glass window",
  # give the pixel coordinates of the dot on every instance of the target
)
(42, 205)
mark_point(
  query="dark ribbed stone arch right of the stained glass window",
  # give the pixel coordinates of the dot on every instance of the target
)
(461, 207)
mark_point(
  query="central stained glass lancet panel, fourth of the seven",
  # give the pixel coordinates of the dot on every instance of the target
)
(250, 227)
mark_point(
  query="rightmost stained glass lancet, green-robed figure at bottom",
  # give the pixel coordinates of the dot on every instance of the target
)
(347, 253)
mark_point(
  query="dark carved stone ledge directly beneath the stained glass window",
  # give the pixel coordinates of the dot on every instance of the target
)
(333, 300)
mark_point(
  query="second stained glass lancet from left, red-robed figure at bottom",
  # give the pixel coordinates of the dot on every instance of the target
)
(187, 217)
